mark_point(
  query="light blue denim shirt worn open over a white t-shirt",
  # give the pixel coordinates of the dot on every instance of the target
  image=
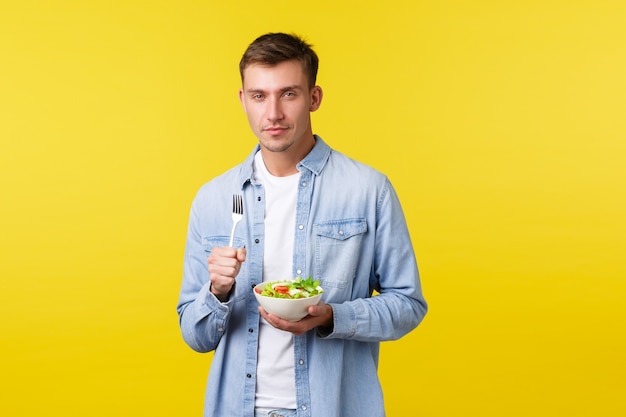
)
(352, 236)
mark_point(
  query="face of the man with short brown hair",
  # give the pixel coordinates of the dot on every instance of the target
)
(278, 102)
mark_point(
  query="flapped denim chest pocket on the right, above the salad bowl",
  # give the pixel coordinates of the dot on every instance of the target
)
(337, 253)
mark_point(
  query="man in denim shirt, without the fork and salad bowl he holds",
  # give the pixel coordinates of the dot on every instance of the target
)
(308, 211)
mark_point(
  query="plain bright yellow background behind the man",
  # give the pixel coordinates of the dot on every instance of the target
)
(501, 124)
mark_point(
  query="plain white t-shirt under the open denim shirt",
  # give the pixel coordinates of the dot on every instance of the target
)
(275, 384)
